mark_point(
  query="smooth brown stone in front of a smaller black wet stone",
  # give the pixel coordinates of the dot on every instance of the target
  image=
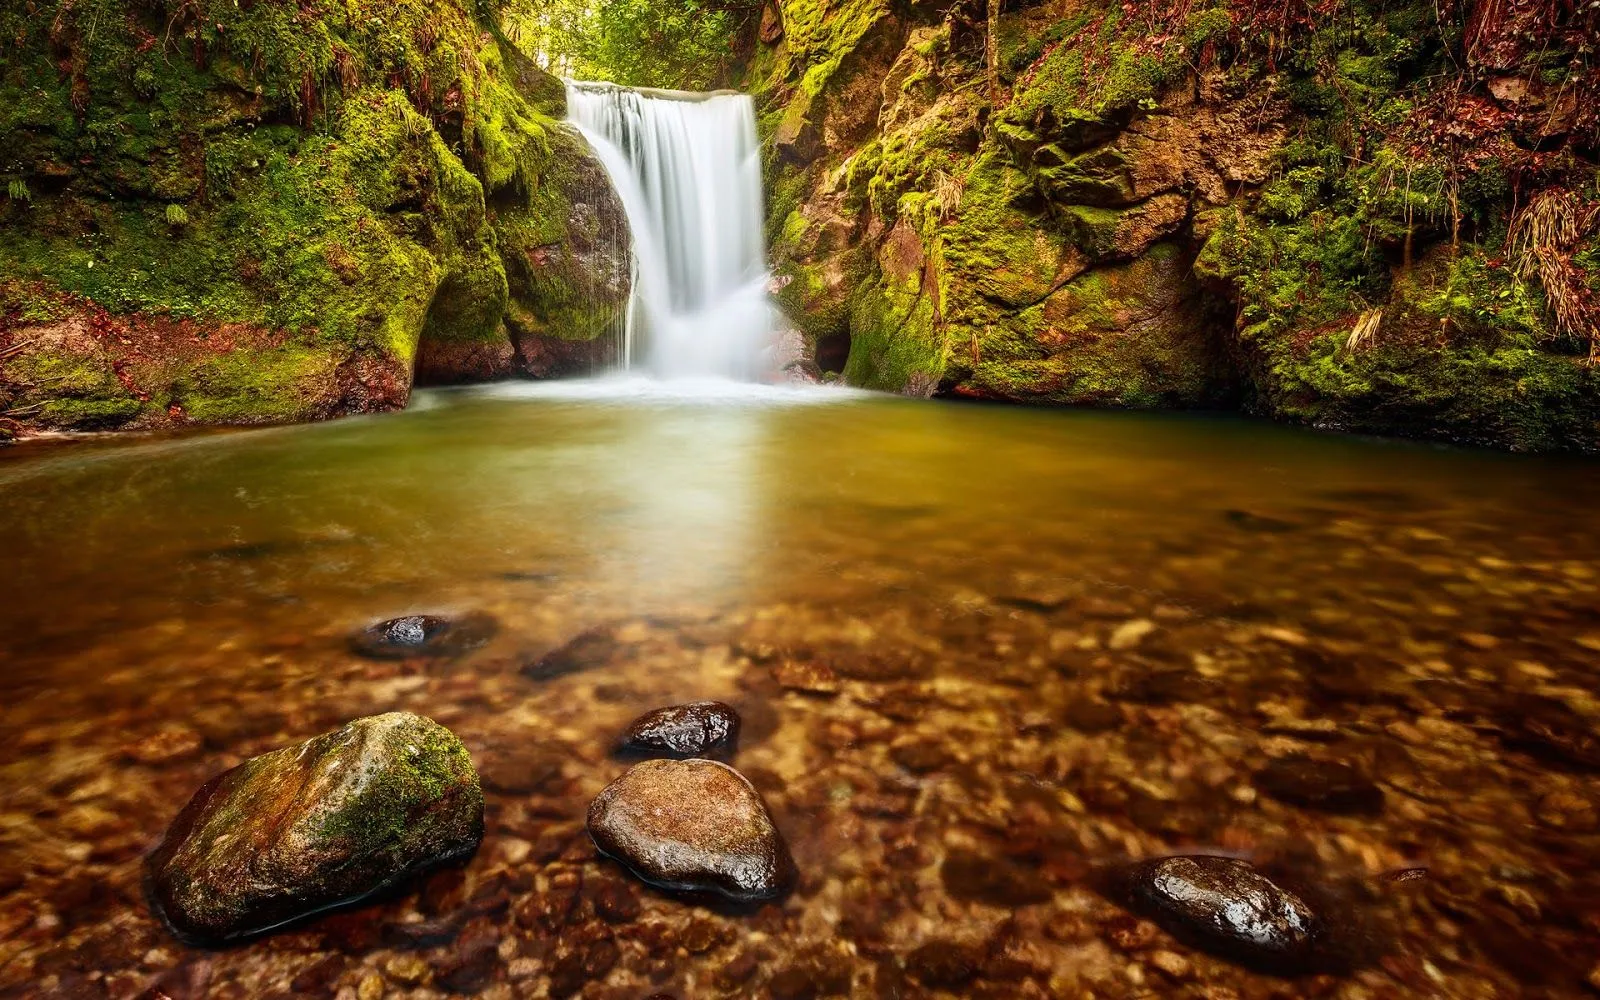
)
(694, 825)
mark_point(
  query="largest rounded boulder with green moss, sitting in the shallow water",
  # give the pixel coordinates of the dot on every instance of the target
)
(314, 826)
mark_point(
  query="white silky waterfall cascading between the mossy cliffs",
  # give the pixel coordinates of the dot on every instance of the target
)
(687, 169)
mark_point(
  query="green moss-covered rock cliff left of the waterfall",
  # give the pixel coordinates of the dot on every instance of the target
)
(257, 212)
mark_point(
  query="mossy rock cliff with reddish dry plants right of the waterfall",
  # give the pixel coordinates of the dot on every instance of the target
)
(1375, 217)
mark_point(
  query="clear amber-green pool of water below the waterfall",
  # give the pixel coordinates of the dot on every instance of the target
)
(1060, 641)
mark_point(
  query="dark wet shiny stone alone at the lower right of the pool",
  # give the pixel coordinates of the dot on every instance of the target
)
(1228, 906)
